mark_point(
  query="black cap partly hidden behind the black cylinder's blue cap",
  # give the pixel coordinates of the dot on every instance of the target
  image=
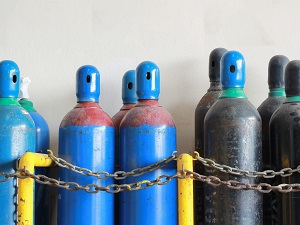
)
(214, 63)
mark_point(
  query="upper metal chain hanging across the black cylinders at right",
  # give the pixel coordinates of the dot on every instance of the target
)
(285, 172)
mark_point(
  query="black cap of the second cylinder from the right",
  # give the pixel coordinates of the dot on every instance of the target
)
(277, 66)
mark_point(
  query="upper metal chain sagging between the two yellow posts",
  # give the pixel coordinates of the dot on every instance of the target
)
(119, 175)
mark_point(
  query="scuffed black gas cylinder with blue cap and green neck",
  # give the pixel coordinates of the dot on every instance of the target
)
(232, 136)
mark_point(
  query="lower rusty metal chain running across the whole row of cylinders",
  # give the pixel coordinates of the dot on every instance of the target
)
(144, 184)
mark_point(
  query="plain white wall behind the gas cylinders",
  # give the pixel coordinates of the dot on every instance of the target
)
(50, 40)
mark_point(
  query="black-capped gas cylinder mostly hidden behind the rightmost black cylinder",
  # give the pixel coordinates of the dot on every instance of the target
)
(266, 109)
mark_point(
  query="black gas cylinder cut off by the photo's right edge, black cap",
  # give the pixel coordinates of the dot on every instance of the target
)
(285, 143)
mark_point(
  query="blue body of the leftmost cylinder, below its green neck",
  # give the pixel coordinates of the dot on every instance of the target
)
(17, 135)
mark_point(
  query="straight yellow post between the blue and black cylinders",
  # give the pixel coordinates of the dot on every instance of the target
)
(185, 192)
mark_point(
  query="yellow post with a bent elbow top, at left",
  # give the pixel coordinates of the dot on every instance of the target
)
(26, 186)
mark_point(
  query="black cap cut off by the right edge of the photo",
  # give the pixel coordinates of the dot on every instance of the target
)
(292, 78)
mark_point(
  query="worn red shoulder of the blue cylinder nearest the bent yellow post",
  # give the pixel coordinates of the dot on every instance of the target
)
(87, 116)
